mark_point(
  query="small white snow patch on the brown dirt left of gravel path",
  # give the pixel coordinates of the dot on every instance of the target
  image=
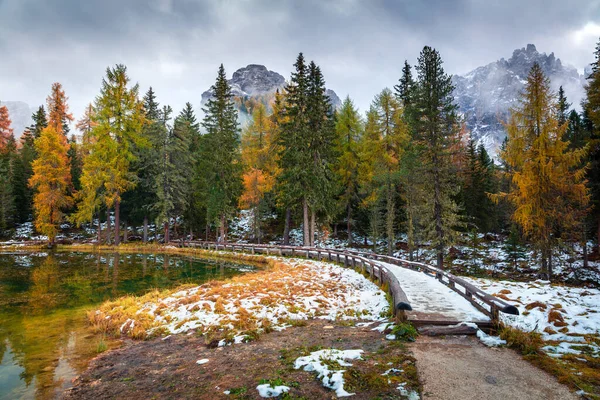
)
(322, 360)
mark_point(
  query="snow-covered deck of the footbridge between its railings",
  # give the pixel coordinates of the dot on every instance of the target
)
(427, 295)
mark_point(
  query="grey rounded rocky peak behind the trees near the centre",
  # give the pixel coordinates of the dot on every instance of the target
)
(256, 82)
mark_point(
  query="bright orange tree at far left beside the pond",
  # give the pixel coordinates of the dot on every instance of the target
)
(51, 180)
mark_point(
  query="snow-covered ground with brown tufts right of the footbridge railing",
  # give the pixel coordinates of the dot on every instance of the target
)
(565, 316)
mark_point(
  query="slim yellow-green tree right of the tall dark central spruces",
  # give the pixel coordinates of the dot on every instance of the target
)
(349, 130)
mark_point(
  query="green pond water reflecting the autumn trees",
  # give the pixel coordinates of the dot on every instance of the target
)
(45, 340)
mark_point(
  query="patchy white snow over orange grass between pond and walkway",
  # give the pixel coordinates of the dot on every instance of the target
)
(291, 289)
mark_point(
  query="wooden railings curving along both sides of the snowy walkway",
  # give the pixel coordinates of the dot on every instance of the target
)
(373, 264)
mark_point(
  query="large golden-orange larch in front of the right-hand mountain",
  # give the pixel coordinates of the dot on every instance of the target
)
(548, 187)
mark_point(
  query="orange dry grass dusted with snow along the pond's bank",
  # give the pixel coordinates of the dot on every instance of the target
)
(233, 305)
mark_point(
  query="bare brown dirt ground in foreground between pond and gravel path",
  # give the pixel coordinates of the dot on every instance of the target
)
(167, 369)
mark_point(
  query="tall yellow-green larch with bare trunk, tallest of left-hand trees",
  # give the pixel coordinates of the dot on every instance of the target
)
(106, 173)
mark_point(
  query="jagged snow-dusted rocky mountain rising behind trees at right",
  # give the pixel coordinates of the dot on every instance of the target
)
(485, 94)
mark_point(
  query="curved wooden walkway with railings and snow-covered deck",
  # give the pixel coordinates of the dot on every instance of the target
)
(421, 293)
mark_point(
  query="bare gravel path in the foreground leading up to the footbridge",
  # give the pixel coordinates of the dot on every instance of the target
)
(460, 367)
